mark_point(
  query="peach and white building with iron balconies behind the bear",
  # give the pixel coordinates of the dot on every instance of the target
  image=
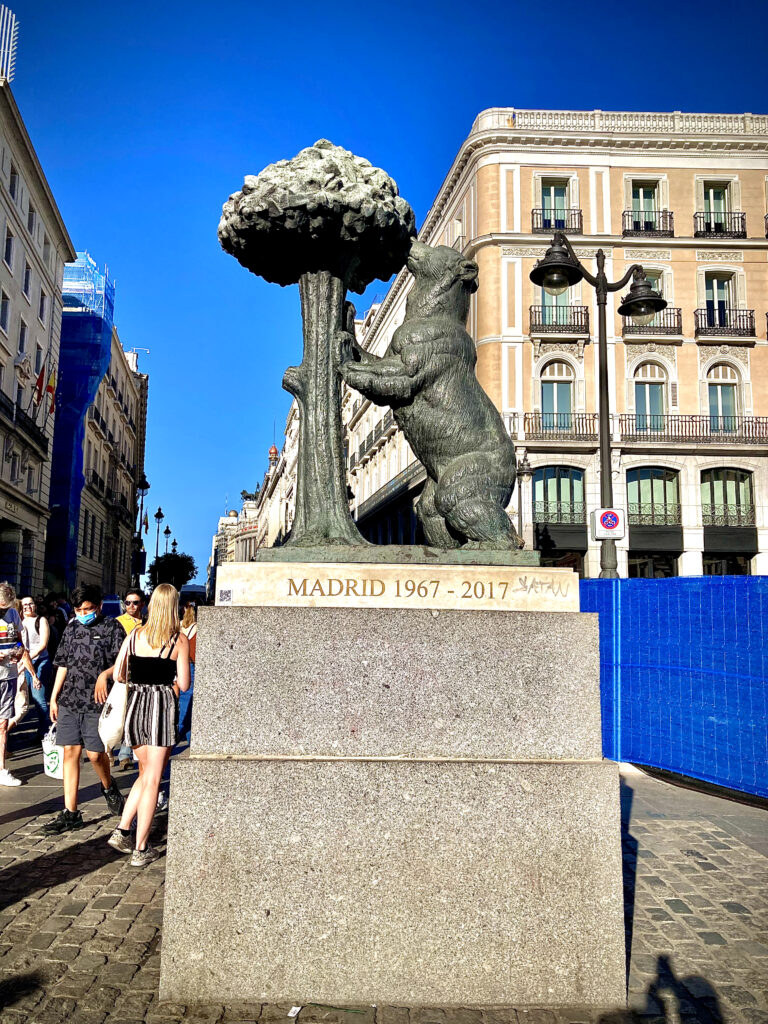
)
(685, 195)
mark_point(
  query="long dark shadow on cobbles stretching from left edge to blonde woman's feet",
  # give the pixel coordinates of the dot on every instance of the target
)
(53, 869)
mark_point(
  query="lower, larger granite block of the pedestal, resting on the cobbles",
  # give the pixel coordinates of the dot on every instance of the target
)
(410, 883)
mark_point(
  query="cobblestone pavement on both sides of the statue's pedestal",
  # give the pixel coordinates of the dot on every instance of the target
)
(80, 930)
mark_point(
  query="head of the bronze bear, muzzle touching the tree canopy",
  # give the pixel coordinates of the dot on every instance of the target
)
(444, 281)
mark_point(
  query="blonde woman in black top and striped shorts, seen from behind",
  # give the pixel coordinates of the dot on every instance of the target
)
(155, 661)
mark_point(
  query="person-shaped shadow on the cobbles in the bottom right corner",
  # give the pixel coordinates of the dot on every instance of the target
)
(671, 1000)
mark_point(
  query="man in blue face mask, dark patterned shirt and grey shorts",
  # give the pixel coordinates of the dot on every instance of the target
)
(89, 649)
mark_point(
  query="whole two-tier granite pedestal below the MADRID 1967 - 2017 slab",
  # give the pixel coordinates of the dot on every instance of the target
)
(403, 806)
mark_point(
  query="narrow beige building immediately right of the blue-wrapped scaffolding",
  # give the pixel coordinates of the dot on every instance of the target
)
(113, 463)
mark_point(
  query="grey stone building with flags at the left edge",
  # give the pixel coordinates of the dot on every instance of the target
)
(36, 246)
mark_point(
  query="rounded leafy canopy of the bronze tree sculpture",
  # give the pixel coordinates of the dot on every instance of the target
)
(325, 209)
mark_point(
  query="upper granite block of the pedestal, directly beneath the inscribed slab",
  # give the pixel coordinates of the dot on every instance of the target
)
(340, 682)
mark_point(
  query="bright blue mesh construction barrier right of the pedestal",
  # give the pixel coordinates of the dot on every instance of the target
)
(685, 675)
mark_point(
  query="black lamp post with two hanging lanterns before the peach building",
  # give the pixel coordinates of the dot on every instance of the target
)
(556, 274)
